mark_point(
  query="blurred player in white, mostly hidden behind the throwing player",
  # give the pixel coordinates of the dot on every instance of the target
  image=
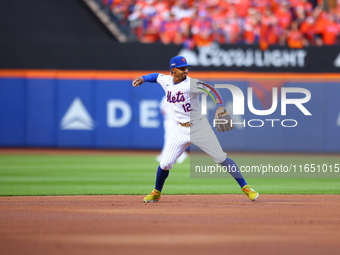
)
(168, 125)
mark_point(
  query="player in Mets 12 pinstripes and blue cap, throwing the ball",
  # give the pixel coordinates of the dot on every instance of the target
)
(182, 94)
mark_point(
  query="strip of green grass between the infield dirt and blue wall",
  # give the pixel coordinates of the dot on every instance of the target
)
(105, 174)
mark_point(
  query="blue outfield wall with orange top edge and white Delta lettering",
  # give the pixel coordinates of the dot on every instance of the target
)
(102, 110)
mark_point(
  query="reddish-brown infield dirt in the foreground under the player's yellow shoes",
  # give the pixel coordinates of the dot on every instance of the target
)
(191, 224)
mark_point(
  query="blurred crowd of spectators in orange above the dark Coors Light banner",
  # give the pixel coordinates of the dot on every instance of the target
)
(296, 23)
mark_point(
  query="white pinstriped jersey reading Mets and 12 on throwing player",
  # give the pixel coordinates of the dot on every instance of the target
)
(183, 97)
